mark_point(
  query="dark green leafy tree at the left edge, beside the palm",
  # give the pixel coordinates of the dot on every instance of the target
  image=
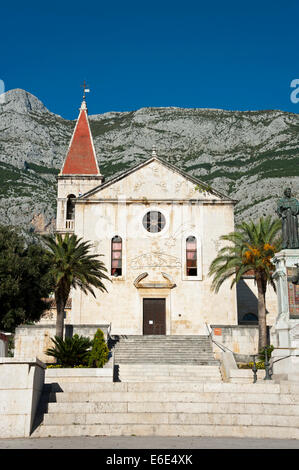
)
(24, 279)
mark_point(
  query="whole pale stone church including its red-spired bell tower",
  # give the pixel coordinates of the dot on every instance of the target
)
(157, 230)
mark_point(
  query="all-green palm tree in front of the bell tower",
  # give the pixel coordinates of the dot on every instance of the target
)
(72, 266)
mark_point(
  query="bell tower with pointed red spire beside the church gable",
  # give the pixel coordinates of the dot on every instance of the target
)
(80, 172)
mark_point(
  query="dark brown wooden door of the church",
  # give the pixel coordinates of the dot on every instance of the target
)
(154, 317)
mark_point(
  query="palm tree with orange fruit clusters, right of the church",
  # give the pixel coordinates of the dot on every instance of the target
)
(251, 248)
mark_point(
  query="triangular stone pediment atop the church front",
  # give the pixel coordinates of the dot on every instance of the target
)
(152, 180)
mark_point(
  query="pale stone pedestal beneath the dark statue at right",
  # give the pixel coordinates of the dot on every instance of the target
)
(285, 331)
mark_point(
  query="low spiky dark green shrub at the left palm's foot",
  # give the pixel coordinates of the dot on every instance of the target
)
(70, 352)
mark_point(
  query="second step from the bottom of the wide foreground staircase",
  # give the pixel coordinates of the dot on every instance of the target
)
(171, 418)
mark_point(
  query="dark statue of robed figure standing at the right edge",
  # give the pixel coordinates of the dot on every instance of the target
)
(288, 209)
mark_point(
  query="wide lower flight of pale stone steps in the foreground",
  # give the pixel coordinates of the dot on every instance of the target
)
(261, 410)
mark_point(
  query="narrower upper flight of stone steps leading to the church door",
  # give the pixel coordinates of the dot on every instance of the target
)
(165, 359)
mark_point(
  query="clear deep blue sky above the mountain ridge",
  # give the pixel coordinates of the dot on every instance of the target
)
(231, 55)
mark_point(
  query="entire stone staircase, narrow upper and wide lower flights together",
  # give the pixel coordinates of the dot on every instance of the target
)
(168, 386)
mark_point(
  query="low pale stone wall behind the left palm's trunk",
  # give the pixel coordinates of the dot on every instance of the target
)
(34, 340)
